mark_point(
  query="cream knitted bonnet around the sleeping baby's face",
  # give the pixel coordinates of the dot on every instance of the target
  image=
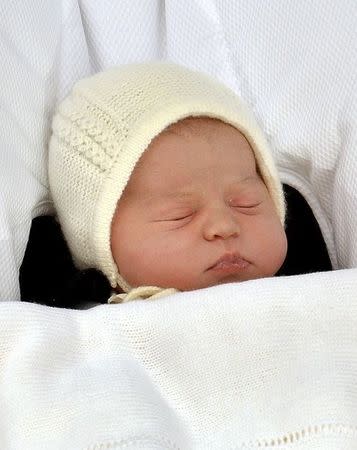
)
(102, 128)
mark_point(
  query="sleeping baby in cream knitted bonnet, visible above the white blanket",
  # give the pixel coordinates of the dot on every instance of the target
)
(163, 180)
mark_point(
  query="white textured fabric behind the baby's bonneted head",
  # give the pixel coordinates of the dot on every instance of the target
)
(295, 63)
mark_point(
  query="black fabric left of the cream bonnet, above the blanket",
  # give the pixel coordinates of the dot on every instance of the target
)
(48, 275)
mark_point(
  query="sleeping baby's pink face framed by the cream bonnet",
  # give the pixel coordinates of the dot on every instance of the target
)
(196, 213)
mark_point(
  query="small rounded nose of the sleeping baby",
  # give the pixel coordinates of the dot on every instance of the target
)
(221, 223)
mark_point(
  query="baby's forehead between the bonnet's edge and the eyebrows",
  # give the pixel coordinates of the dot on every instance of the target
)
(217, 151)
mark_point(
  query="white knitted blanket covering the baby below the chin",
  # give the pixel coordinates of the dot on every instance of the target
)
(269, 363)
